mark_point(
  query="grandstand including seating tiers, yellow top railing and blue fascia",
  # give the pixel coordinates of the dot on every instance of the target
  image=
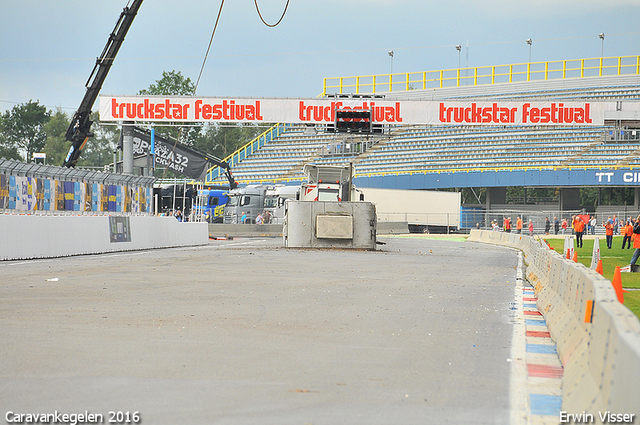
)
(415, 157)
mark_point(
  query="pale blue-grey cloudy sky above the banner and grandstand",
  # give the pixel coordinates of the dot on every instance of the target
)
(48, 48)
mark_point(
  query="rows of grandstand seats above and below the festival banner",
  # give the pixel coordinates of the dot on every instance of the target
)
(406, 149)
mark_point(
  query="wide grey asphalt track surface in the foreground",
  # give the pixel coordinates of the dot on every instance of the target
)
(247, 332)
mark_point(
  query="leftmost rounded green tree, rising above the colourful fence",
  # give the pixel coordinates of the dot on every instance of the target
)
(23, 127)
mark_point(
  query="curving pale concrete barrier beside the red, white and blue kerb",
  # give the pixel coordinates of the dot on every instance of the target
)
(601, 353)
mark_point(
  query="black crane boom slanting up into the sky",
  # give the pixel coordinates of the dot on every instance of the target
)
(79, 129)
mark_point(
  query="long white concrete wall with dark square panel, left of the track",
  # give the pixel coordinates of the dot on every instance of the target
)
(47, 236)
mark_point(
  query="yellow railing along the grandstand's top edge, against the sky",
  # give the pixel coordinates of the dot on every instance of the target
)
(484, 75)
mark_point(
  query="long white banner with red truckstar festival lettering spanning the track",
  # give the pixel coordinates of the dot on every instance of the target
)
(322, 111)
